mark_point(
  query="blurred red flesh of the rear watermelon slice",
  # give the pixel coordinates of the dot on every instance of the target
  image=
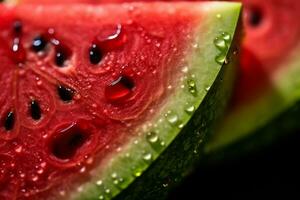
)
(272, 31)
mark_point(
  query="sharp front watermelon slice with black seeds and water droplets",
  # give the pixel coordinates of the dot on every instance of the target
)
(93, 95)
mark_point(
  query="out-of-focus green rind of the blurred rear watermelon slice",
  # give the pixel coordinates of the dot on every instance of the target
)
(260, 124)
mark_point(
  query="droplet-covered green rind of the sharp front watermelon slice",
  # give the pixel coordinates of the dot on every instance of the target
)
(125, 166)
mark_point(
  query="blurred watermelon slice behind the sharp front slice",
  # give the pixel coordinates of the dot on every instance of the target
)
(265, 104)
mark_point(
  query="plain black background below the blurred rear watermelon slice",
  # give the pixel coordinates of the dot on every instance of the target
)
(269, 173)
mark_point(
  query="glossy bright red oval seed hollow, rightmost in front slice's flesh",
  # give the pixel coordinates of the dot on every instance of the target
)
(119, 89)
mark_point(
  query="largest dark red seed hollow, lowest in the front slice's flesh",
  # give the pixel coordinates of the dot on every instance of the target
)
(67, 142)
